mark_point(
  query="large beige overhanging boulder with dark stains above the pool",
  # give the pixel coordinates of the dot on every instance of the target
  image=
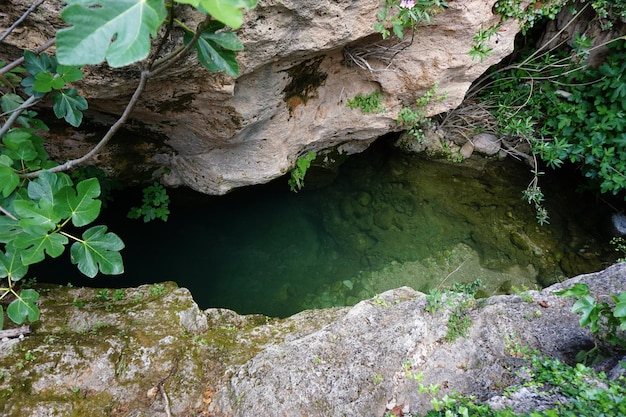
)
(215, 133)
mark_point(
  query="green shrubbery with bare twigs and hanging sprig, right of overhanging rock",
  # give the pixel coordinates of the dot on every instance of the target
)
(567, 110)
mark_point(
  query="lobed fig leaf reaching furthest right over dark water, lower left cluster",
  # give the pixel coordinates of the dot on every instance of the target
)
(98, 251)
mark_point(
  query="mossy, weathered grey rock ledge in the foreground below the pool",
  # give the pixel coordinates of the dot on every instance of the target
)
(101, 354)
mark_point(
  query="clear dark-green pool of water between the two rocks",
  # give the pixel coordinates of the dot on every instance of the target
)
(386, 219)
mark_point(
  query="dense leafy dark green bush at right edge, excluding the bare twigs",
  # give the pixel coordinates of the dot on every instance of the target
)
(586, 122)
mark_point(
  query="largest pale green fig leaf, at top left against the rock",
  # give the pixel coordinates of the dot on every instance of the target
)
(116, 30)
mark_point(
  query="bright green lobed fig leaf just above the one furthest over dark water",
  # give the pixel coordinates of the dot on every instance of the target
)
(81, 204)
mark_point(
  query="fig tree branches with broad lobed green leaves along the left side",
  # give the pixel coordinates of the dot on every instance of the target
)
(42, 208)
